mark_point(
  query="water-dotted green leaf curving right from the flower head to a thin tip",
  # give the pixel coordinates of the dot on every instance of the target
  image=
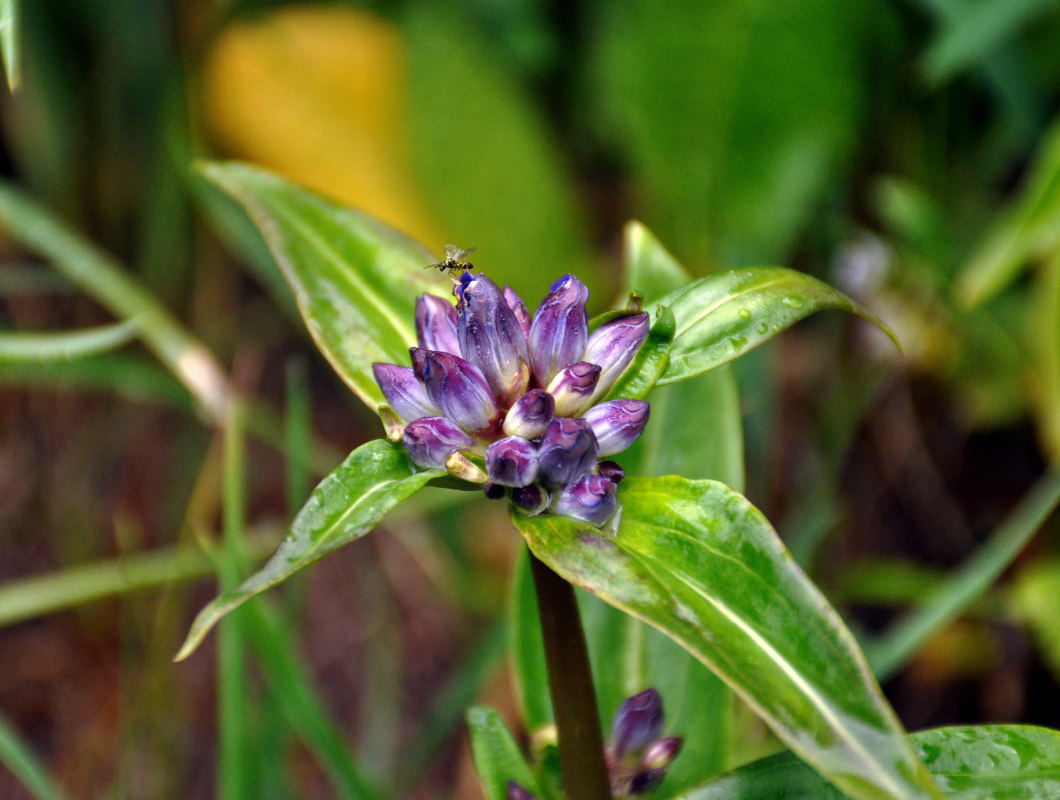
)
(725, 315)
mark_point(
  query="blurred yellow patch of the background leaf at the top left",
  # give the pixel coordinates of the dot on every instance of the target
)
(317, 94)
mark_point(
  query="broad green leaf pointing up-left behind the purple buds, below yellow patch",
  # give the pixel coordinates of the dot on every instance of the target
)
(355, 279)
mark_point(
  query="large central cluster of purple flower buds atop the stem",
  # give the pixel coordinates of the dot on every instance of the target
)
(522, 393)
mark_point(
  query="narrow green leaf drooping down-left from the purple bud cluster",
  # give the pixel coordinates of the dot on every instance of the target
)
(344, 507)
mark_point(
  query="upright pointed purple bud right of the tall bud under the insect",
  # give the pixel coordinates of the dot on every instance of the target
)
(560, 329)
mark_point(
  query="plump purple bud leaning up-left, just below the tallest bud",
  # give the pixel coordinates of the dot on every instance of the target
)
(457, 388)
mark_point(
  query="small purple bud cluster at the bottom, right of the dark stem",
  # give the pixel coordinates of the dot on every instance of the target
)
(639, 755)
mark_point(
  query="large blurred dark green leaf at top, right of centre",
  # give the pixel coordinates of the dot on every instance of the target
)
(733, 126)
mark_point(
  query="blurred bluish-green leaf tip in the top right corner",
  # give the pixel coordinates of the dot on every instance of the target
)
(980, 29)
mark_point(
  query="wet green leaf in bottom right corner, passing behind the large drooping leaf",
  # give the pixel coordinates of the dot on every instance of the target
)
(988, 762)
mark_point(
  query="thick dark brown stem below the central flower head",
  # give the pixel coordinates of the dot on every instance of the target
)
(571, 686)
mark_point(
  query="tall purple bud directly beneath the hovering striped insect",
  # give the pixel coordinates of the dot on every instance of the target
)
(491, 337)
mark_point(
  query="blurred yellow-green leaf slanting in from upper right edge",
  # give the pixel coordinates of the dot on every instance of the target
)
(1026, 232)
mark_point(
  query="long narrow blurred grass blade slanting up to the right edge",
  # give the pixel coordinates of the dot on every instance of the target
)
(947, 602)
